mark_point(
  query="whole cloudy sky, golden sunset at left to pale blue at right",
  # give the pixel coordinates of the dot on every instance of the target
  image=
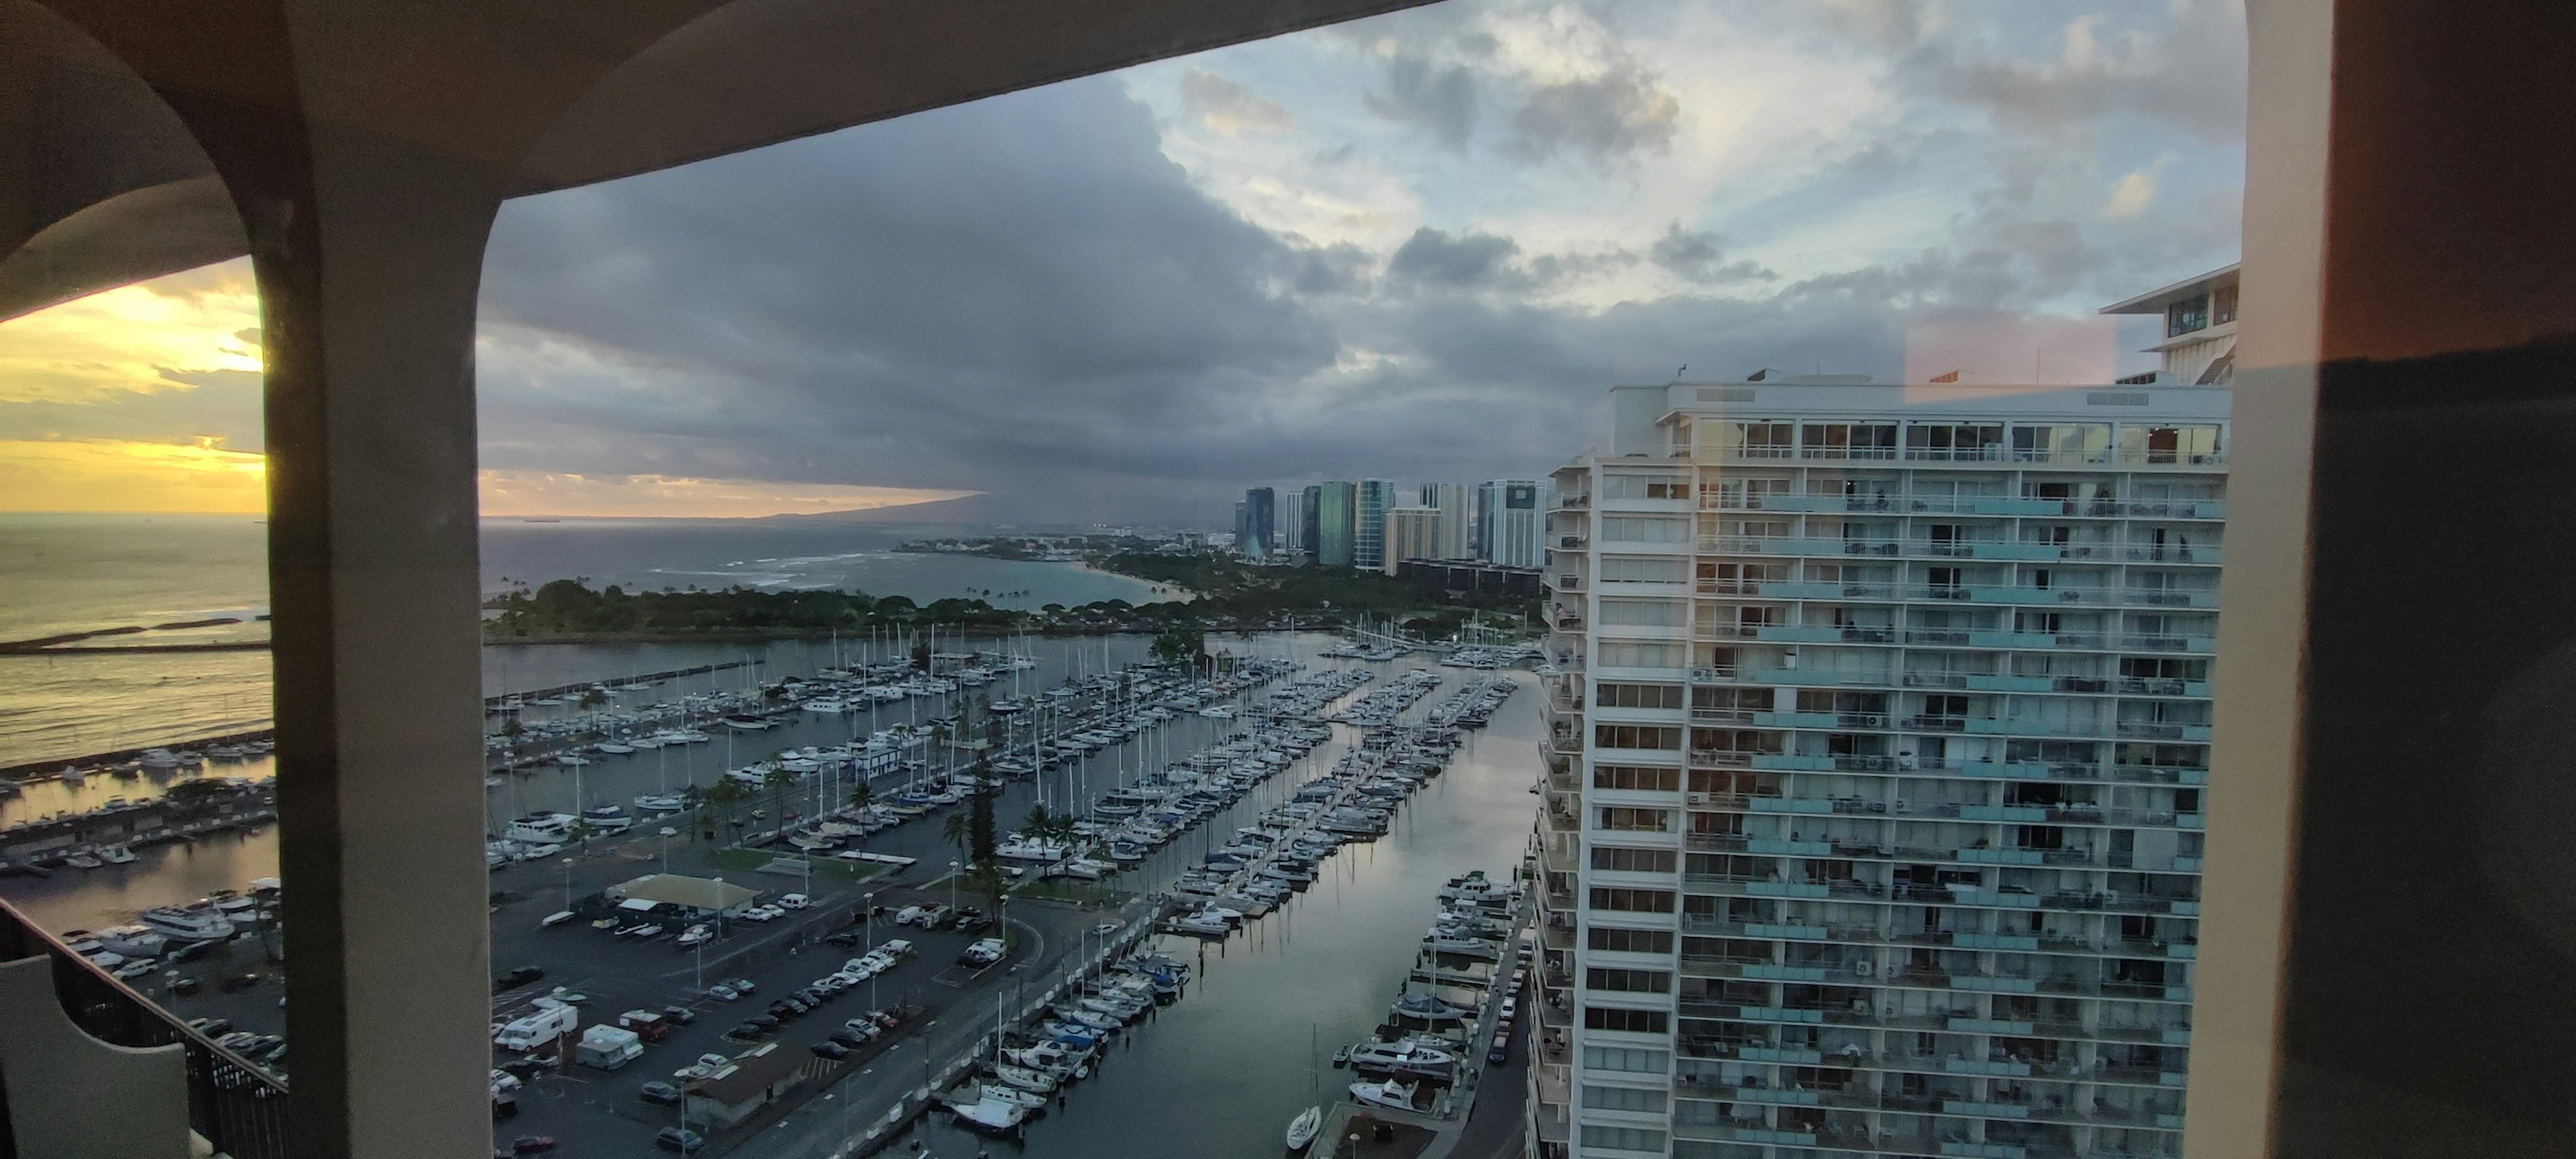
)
(1408, 249)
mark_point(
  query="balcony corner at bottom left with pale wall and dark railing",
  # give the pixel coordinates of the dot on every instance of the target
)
(76, 1042)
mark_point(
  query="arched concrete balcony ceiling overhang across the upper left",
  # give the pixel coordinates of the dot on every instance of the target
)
(102, 182)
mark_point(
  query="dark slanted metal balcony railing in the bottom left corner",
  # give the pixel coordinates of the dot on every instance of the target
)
(231, 1104)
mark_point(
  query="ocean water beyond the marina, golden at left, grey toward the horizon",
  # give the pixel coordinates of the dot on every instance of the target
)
(86, 573)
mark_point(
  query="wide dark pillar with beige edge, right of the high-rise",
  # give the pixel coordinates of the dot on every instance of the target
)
(2389, 908)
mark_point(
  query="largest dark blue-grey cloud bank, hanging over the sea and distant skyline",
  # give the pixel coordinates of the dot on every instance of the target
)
(1027, 297)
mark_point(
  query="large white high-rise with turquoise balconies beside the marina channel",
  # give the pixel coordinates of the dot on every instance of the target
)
(1877, 769)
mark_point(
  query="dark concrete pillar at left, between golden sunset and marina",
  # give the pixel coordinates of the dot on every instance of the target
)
(367, 285)
